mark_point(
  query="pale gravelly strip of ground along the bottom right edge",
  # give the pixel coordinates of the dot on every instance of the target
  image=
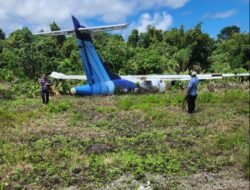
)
(199, 181)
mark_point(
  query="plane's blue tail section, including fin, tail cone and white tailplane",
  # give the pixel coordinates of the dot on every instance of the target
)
(100, 80)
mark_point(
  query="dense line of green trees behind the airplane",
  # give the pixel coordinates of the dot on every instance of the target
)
(23, 55)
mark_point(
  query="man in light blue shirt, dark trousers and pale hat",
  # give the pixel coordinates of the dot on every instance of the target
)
(192, 92)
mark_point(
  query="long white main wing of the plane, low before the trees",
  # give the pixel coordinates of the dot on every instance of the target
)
(153, 77)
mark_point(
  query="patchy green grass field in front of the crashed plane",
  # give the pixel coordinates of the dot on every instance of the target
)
(122, 142)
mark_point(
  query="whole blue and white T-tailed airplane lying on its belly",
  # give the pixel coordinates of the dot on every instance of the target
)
(100, 80)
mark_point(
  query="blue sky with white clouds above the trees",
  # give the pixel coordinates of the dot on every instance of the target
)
(163, 14)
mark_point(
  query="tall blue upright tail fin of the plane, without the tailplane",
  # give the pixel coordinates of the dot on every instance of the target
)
(96, 72)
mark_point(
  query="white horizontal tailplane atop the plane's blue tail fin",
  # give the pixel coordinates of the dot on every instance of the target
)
(84, 29)
